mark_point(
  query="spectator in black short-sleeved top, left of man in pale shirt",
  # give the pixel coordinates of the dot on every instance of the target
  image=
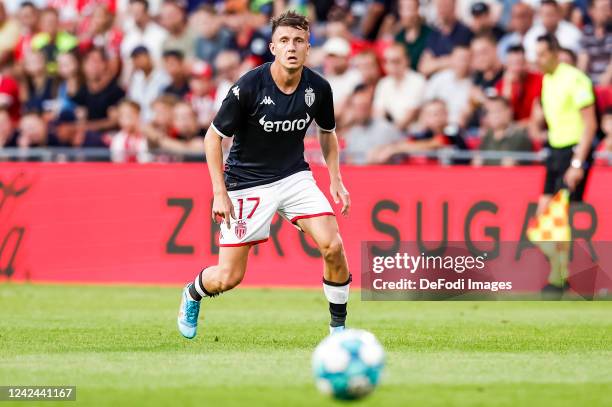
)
(100, 93)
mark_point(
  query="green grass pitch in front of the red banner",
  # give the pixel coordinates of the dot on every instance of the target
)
(119, 346)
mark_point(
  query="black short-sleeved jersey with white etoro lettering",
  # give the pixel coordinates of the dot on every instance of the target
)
(269, 126)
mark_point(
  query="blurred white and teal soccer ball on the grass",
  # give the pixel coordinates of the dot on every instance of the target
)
(348, 364)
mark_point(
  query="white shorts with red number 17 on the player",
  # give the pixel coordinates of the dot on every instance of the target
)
(295, 197)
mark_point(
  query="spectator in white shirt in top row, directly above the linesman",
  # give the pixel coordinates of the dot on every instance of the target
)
(551, 22)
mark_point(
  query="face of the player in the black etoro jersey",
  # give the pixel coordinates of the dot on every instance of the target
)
(290, 47)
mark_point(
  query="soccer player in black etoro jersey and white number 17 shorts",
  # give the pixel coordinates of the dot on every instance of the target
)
(268, 111)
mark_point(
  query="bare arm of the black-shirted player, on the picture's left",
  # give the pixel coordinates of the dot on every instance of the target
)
(222, 204)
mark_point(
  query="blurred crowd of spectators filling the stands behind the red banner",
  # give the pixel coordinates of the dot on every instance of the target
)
(138, 77)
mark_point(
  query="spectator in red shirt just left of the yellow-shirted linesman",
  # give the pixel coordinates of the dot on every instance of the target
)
(519, 85)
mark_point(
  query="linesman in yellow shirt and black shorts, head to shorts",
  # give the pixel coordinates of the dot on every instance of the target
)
(568, 104)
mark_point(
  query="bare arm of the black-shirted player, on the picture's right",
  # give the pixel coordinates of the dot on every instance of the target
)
(331, 154)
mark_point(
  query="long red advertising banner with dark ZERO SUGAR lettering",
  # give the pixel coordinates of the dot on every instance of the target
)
(130, 223)
